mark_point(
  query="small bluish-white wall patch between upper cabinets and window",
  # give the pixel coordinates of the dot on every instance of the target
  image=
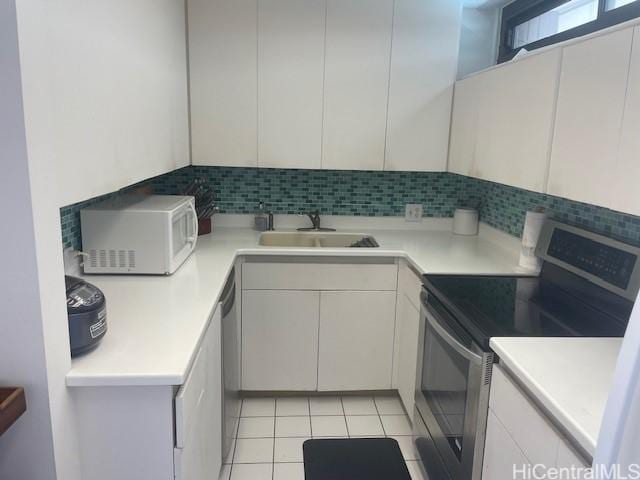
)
(478, 39)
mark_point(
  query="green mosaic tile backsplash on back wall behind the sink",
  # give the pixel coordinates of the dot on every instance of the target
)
(332, 192)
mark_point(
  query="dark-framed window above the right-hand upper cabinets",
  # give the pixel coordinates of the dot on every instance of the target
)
(533, 24)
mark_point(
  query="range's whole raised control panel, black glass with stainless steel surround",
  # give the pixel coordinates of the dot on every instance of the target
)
(604, 261)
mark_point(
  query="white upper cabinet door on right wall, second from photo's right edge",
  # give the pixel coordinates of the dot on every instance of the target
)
(589, 118)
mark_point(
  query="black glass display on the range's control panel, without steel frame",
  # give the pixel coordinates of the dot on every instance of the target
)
(608, 263)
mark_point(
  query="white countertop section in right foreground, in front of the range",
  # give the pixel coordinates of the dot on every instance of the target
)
(569, 377)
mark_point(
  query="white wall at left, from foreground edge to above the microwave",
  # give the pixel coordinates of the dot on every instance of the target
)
(93, 96)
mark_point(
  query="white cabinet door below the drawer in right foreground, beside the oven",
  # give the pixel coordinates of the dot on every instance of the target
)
(501, 454)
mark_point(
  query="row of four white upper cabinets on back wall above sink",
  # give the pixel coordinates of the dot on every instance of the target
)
(317, 84)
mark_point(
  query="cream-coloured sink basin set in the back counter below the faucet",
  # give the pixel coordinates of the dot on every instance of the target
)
(316, 240)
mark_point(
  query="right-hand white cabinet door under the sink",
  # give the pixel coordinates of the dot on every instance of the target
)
(356, 340)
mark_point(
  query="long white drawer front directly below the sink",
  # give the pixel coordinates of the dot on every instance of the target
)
(319, 276)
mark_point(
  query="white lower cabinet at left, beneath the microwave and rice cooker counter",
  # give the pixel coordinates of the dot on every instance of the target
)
(153, 432)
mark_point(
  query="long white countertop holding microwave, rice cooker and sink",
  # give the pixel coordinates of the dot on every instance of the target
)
(156, 322)
